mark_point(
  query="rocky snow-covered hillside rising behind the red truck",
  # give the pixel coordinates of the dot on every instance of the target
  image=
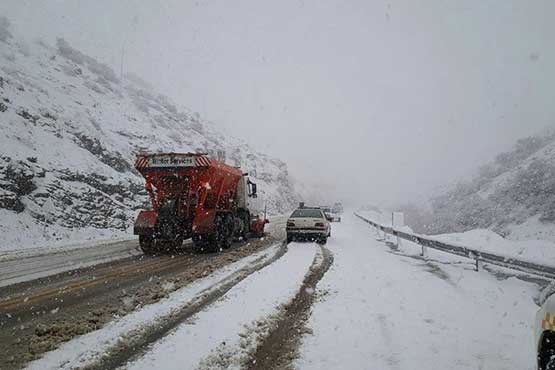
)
(70, 131)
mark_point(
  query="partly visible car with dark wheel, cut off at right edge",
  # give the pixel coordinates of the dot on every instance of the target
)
(544, 330)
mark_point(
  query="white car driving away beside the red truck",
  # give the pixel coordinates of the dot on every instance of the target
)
(308, 224)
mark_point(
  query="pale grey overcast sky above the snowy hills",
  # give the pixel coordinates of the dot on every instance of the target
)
(382, 101)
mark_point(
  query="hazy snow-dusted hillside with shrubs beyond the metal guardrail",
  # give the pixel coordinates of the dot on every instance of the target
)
(513, 196)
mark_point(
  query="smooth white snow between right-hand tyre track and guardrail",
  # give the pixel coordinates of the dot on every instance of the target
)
(393, 311)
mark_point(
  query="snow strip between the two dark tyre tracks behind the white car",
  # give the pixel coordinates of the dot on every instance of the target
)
(221, 336)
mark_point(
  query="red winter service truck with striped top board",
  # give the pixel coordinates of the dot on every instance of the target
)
(196, 197)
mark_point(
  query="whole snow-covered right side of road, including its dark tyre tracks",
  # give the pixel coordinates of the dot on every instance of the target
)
(374, 308)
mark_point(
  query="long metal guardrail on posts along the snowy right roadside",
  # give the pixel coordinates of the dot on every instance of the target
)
(471, 253)
